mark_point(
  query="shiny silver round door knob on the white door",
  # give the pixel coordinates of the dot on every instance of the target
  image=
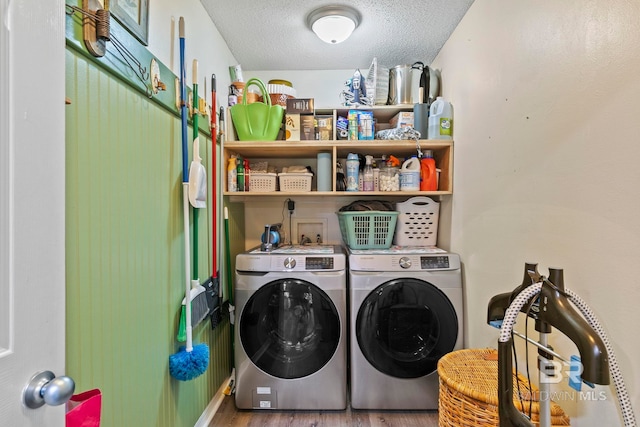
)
(44, 387)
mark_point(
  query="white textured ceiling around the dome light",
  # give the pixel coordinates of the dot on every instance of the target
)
(273, 35)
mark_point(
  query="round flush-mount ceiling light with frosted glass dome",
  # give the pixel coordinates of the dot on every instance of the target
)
(333, 24)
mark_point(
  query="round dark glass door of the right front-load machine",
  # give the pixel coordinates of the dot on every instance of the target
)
(404, 326)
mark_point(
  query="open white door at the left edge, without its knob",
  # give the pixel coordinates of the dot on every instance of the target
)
(32, 200)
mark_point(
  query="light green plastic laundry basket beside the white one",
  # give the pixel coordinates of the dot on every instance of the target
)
(368, 230)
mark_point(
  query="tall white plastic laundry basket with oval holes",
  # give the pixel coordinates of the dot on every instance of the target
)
(417, 222)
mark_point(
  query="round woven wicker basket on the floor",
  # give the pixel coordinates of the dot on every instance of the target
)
(469, 391)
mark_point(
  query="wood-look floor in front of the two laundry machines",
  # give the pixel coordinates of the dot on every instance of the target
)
(227, 415)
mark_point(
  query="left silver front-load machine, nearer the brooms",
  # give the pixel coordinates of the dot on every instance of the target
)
(291, 328)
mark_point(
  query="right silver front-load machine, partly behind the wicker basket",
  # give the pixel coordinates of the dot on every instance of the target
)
(406, 312)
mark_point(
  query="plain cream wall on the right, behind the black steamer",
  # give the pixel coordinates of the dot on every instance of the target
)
(546, 98)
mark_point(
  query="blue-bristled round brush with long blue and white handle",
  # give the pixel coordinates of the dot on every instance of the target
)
(190, 361)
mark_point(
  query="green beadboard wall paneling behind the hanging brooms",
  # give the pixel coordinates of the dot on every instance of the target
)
(125, 255)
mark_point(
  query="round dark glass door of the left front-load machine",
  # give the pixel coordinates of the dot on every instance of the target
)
(289, 328)
